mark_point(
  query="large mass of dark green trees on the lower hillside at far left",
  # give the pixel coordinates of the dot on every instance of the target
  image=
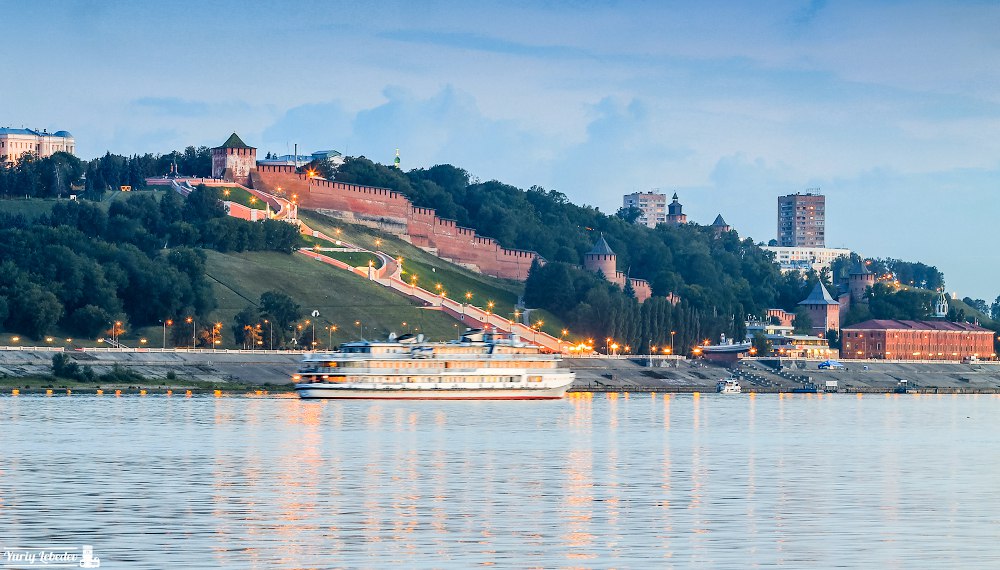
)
(81, 267)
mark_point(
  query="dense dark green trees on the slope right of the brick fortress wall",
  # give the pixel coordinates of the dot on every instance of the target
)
(720, 279)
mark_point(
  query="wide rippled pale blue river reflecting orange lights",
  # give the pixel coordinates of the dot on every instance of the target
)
(635, 481)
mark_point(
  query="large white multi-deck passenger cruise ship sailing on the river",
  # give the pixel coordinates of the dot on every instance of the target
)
(487, 366)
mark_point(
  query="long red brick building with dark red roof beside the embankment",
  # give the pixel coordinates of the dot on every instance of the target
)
(916, 340)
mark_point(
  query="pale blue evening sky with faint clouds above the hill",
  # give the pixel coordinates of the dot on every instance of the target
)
(890, 108)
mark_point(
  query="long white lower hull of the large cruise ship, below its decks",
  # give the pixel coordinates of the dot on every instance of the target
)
(374, 392)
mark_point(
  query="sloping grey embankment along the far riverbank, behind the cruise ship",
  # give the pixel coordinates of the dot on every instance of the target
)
(635, 374)
